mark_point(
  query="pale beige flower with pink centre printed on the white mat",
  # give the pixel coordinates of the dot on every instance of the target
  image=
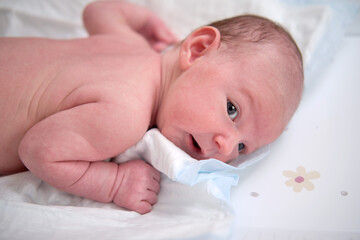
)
(301, 179)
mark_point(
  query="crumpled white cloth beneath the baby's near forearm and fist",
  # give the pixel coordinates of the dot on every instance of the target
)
(31, 209)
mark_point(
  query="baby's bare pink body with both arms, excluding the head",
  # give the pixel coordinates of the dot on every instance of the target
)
(67, 105)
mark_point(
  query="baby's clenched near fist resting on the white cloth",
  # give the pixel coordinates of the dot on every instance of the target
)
(139, 186)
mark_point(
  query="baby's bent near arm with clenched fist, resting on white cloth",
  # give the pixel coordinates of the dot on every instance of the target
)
(65, 150)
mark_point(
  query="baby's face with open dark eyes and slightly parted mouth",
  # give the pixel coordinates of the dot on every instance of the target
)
(220, 108)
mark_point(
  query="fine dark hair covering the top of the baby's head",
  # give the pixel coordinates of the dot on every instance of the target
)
(249, 34)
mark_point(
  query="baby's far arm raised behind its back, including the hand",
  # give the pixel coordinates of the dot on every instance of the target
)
(118, 17)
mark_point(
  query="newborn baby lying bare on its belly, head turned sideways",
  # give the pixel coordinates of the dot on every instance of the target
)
(66, 105)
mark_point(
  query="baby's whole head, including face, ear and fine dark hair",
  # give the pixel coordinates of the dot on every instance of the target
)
(231, 87)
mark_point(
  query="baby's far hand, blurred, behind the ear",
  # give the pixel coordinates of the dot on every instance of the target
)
(157, 33)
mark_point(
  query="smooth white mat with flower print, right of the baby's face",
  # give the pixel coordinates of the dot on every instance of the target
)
(323, 137)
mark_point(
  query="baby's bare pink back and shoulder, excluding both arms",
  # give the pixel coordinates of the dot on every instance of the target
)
(41, 77)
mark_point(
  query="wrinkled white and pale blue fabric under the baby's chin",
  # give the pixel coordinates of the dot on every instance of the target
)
(180, 167)
